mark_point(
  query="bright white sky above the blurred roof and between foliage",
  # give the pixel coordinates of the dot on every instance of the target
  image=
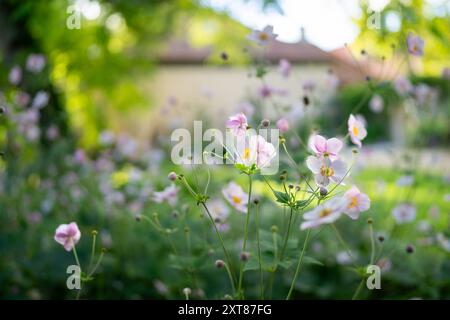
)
(329, 24)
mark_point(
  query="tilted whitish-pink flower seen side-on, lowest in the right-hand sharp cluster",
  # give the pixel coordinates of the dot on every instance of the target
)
(327, 212)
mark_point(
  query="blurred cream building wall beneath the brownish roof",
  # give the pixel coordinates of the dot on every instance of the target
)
(213, 92)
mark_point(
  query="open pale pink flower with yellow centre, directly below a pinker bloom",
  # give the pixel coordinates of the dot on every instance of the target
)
(326, 171)
